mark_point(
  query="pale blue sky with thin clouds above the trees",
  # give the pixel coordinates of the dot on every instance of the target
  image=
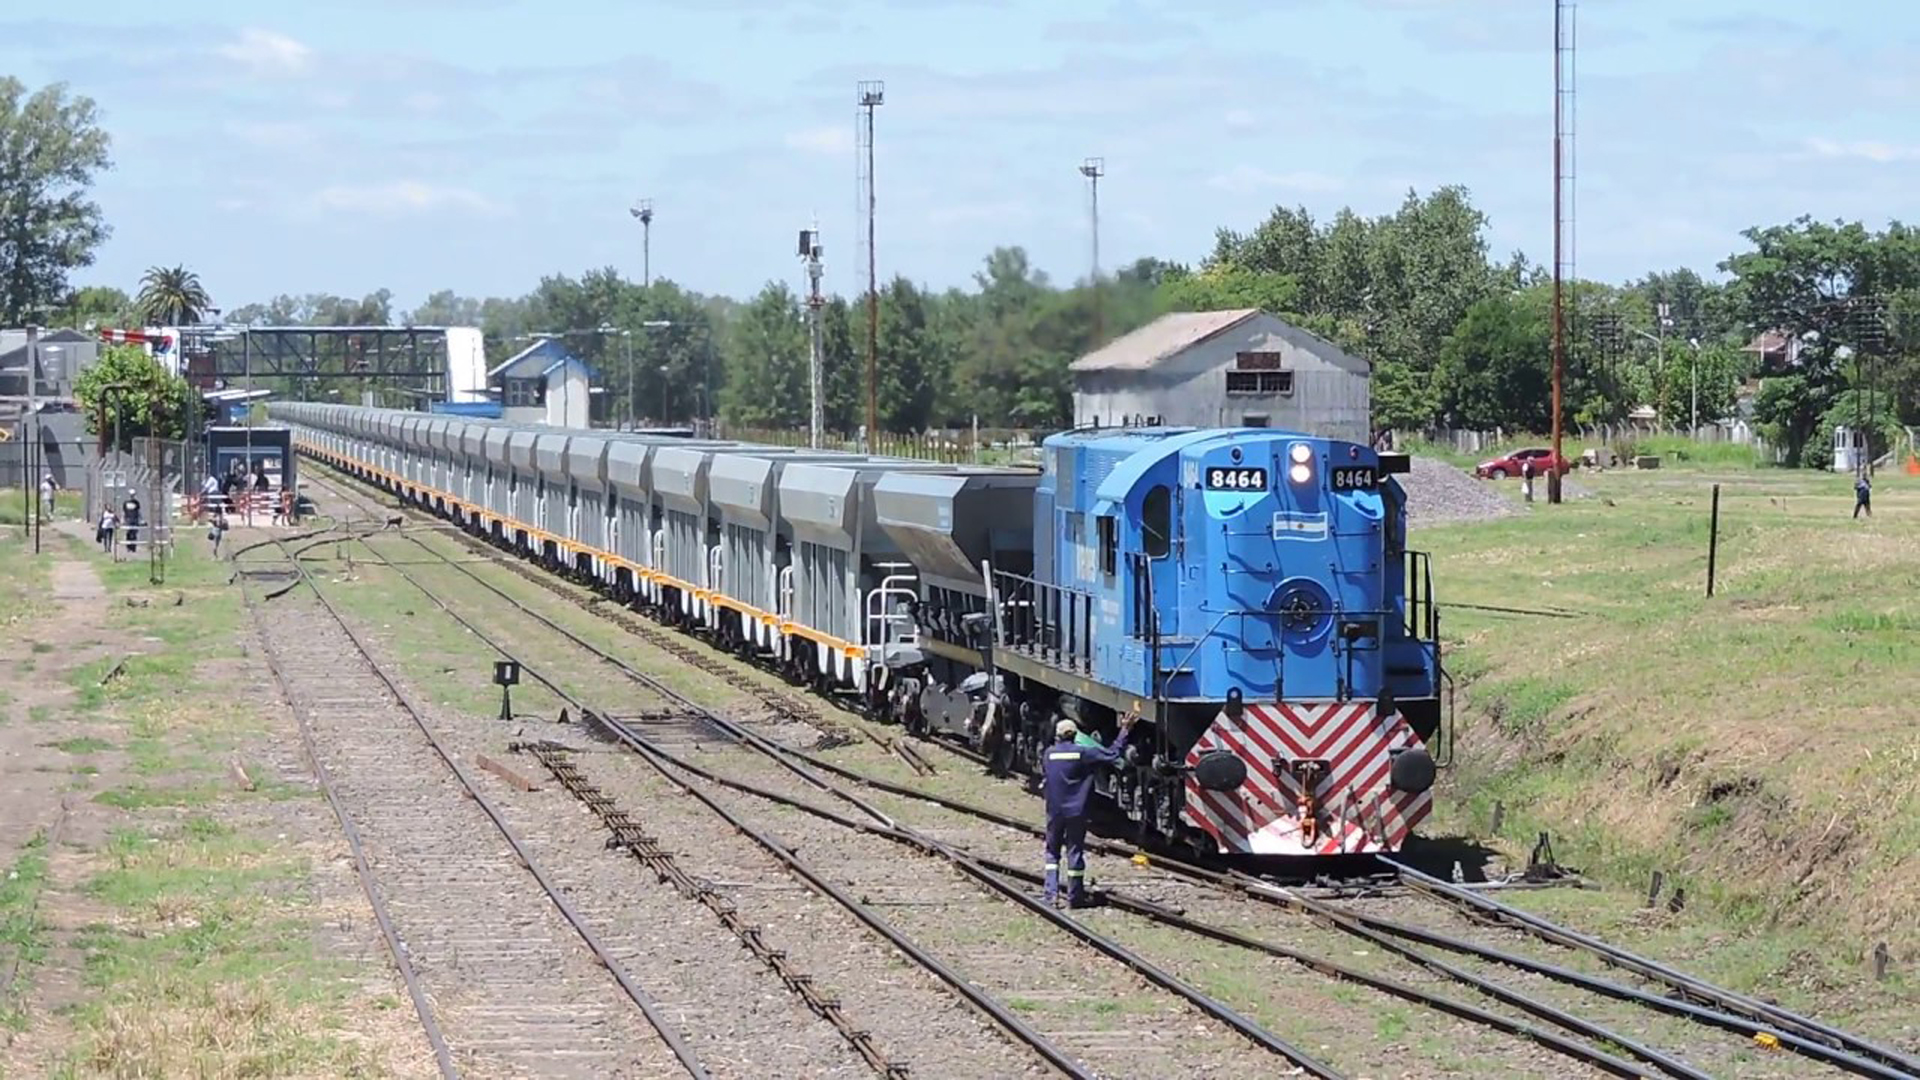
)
(477, 145)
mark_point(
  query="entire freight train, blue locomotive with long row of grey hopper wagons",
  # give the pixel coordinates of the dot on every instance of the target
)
(1247, 593)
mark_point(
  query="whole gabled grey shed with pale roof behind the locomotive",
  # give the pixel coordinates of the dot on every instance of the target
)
(1226, 370)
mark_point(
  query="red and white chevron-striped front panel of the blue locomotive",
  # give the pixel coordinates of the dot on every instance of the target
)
(1356, 810)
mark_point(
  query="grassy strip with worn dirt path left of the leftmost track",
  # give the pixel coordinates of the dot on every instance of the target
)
(174, 895)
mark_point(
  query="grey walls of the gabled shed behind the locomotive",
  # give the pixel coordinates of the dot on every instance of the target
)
(1332, 393)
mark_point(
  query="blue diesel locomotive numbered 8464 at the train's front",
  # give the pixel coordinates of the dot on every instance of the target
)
(1249, 593)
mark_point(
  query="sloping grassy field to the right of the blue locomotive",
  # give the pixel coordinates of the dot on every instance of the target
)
(1752, 745)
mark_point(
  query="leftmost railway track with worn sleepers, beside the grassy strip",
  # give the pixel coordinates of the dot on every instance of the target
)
(502, 970)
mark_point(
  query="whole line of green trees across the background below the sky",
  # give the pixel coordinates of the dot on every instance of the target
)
(1456, 337)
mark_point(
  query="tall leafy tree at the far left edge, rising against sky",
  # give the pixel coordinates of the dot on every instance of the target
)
(51, 149)
